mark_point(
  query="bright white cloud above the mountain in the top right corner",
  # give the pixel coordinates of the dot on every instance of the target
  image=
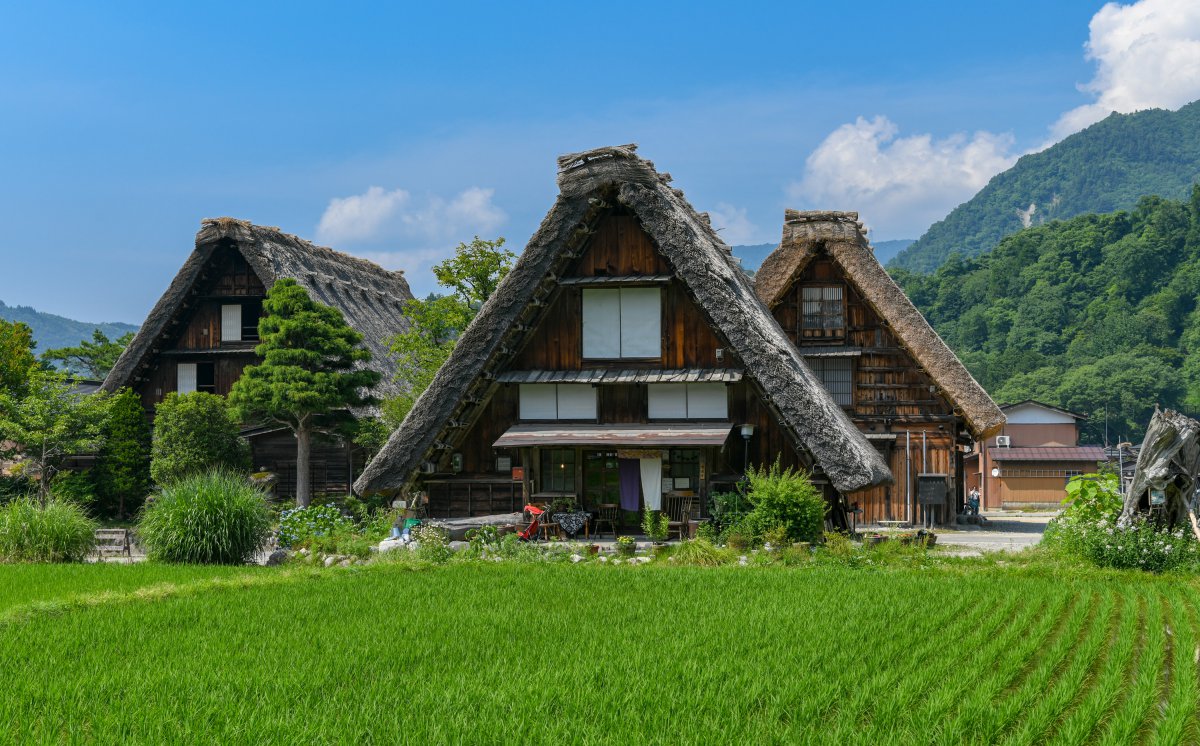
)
(1148, 56)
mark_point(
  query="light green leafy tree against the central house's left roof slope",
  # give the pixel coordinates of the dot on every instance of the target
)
(472, 276)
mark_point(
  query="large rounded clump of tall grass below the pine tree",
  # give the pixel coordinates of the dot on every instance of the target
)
(218, 518)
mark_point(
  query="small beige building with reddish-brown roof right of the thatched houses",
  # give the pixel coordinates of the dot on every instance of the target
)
(1029, 464)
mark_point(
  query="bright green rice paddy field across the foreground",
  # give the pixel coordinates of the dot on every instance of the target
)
(544, 653)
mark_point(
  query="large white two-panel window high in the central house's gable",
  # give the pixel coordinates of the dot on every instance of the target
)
(622, 323)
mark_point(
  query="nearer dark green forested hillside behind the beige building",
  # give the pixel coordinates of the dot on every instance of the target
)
(1095, 314)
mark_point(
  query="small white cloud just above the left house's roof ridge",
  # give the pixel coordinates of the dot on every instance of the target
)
(397, 216)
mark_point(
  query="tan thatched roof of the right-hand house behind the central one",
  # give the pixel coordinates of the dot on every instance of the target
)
(841, 236)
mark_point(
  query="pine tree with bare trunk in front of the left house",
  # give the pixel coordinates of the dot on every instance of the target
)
(311, 375)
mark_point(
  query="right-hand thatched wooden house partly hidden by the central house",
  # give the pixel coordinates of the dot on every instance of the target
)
(881, 362)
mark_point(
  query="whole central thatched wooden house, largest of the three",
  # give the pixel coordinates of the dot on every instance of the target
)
(625, 358)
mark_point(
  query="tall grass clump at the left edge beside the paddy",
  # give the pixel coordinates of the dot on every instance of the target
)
(55, 532)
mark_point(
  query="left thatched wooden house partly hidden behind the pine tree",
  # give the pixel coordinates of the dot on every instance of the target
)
(203, 332)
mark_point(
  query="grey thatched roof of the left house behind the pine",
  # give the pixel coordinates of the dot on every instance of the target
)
(370, 298)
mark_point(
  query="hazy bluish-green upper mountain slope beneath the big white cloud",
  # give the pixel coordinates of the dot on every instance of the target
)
(1107, 167)
